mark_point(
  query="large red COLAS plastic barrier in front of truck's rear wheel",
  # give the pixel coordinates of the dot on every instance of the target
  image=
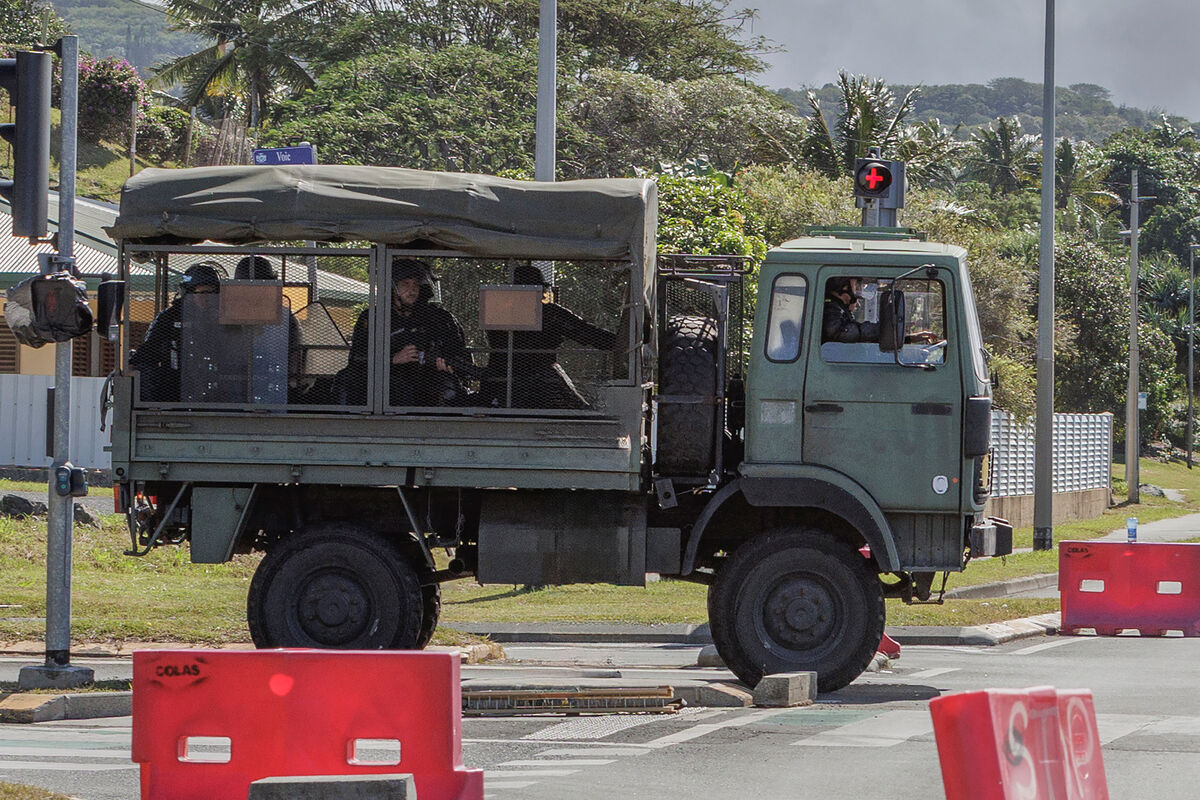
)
(293, 713)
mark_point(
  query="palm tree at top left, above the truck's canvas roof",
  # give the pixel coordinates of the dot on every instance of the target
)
(251, 53)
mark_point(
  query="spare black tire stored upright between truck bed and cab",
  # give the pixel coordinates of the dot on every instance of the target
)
(687, 366)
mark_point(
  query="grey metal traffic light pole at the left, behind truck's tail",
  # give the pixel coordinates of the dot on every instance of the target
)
(58, 672)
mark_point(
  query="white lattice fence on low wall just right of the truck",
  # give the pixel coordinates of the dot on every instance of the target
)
(1083, 454)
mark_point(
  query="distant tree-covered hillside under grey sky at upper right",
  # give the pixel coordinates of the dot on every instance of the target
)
(1084, 111)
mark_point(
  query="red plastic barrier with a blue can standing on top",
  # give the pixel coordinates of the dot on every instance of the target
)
(1149, 587)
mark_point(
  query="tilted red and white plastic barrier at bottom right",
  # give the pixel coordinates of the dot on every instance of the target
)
(1034, 744)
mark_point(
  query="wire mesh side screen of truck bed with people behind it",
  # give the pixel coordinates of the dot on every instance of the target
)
(290, 347)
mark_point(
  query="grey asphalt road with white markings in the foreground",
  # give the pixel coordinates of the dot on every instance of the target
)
(871, 739)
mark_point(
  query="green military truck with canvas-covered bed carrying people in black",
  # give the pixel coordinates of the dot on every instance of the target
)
(713, 436)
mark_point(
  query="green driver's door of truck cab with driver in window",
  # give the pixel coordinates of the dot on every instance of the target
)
(893, 429)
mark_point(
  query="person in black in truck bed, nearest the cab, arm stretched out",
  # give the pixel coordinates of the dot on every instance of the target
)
(538, 380)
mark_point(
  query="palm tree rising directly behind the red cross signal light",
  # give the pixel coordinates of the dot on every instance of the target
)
(869, 117)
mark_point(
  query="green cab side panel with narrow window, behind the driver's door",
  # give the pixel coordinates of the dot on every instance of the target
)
(776, 384)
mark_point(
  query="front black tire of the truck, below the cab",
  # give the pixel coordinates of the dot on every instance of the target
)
(797, 601)
